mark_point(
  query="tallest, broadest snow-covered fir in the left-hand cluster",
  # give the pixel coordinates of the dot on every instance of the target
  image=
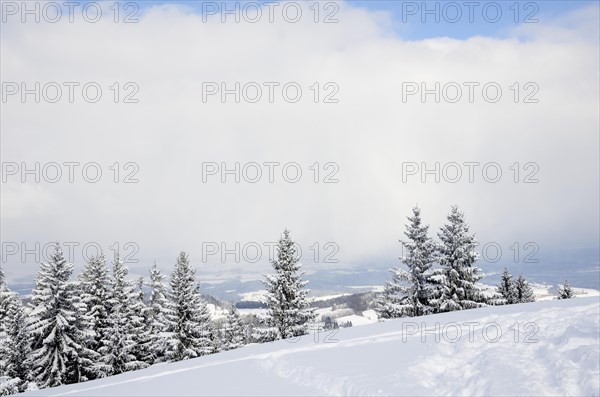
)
(51, 324)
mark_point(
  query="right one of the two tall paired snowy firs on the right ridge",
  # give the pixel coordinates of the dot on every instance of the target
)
(457, 256)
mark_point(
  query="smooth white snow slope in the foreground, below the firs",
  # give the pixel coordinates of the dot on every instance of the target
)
(556, 352)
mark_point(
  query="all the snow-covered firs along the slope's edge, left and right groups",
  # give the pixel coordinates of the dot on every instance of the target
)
(102, 323)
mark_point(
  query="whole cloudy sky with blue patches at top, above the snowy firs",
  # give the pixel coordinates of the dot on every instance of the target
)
(380, 112)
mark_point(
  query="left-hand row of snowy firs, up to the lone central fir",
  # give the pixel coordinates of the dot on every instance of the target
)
(103, 324)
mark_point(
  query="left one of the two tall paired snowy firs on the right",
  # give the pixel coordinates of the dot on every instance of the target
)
(409, 292)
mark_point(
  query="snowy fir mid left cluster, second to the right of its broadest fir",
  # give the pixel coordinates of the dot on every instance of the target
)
(119, 345)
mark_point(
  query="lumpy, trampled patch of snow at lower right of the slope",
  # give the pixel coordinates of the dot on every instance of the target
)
(564, 363)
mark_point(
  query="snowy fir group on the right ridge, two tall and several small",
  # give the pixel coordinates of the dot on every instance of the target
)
(441, 276)
